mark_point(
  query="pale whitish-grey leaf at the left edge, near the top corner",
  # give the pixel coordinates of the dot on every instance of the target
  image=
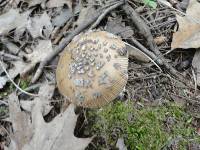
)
(11, 20)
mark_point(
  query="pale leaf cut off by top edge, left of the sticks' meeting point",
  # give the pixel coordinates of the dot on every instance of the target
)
(59, 3)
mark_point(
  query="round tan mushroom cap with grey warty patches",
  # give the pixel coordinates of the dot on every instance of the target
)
(92, 69)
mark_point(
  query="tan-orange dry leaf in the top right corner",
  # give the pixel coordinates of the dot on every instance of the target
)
(188, 35)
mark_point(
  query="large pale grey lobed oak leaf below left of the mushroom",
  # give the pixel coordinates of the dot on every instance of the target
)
(57, 134)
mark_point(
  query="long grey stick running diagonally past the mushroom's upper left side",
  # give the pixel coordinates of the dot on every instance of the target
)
(64, 43)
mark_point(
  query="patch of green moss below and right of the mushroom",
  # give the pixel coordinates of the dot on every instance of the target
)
(146, 128)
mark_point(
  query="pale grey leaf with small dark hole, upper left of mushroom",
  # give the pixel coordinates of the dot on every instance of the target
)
(39, 25)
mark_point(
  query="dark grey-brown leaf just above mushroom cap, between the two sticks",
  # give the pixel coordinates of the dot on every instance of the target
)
(117, 27)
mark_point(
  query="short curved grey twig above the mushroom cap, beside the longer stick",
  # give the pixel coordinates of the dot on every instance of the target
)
(105, 13)
